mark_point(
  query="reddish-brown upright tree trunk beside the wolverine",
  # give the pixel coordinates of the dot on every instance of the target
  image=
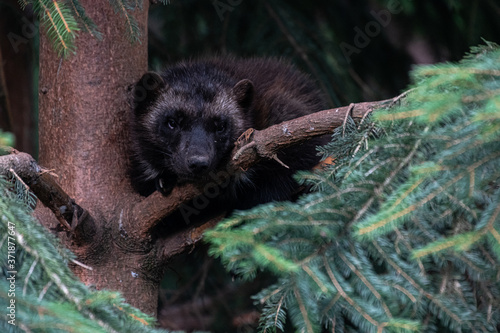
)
(83, 104)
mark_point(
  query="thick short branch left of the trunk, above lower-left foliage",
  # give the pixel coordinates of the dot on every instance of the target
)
(71, 216)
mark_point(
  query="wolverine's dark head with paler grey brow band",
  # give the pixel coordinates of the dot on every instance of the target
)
(187, 120)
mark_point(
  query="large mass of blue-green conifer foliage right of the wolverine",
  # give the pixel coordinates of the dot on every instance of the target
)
(403, 232)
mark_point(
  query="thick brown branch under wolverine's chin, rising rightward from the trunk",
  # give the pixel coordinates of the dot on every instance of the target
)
(250, 148)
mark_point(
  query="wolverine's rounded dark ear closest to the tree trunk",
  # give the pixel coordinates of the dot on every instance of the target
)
(146, 90)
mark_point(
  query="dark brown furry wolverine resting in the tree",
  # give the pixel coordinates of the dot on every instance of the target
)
(186, 120)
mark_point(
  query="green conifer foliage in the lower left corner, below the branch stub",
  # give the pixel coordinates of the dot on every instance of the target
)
(38, 291)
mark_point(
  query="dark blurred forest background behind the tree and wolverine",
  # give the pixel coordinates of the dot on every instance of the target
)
(355, 50)
